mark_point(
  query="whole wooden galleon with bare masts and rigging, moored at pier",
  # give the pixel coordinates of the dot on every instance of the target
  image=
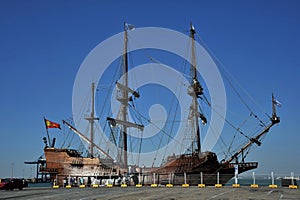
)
(132, 158)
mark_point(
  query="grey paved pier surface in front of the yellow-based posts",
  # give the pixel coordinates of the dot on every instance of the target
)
(147, 193)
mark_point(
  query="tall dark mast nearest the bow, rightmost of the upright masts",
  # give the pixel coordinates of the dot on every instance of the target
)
(197, 90)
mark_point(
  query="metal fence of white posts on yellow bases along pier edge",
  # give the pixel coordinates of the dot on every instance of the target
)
(162, 179)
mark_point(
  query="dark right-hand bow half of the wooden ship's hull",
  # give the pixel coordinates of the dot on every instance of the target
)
(196, 169)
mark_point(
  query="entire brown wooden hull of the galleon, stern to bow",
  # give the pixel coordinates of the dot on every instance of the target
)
(66, 163)
